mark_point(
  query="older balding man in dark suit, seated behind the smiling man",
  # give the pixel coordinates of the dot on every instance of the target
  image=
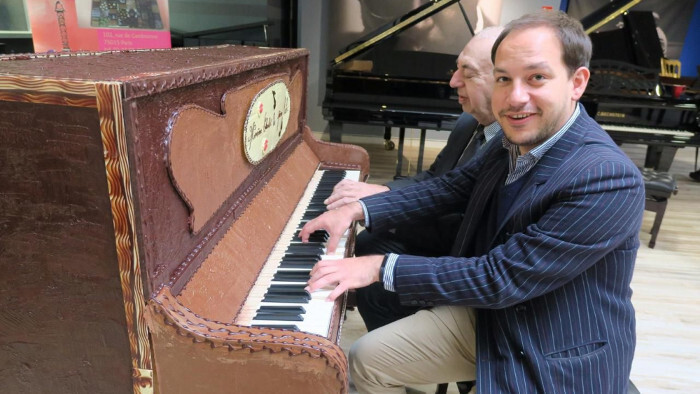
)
(473, 81)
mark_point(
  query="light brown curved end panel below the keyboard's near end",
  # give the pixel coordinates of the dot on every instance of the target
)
(195, 354)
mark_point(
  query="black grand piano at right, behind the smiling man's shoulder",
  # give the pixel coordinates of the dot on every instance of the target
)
(626, 94)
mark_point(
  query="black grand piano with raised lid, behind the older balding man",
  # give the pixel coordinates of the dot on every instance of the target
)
(372, 83)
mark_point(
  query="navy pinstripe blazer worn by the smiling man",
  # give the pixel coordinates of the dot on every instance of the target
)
(552, 289)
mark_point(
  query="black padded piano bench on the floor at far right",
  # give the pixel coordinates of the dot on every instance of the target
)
(658, 186)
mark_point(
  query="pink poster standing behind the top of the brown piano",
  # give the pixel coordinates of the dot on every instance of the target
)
(98, 25)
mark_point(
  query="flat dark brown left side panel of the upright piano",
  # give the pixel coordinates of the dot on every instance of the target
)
(60, 295)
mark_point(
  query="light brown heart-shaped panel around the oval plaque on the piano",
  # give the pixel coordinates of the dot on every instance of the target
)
(206, 180)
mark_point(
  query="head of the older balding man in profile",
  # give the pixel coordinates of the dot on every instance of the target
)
(474, 79)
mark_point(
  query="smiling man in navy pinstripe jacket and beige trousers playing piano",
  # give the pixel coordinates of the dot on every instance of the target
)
(552, 214)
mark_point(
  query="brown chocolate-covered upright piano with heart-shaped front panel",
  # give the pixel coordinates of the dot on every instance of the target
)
(150, 201)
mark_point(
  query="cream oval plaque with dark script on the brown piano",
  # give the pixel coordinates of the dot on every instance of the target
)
(266, 121)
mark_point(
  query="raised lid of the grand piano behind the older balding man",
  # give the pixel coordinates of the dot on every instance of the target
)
(398, 25)
